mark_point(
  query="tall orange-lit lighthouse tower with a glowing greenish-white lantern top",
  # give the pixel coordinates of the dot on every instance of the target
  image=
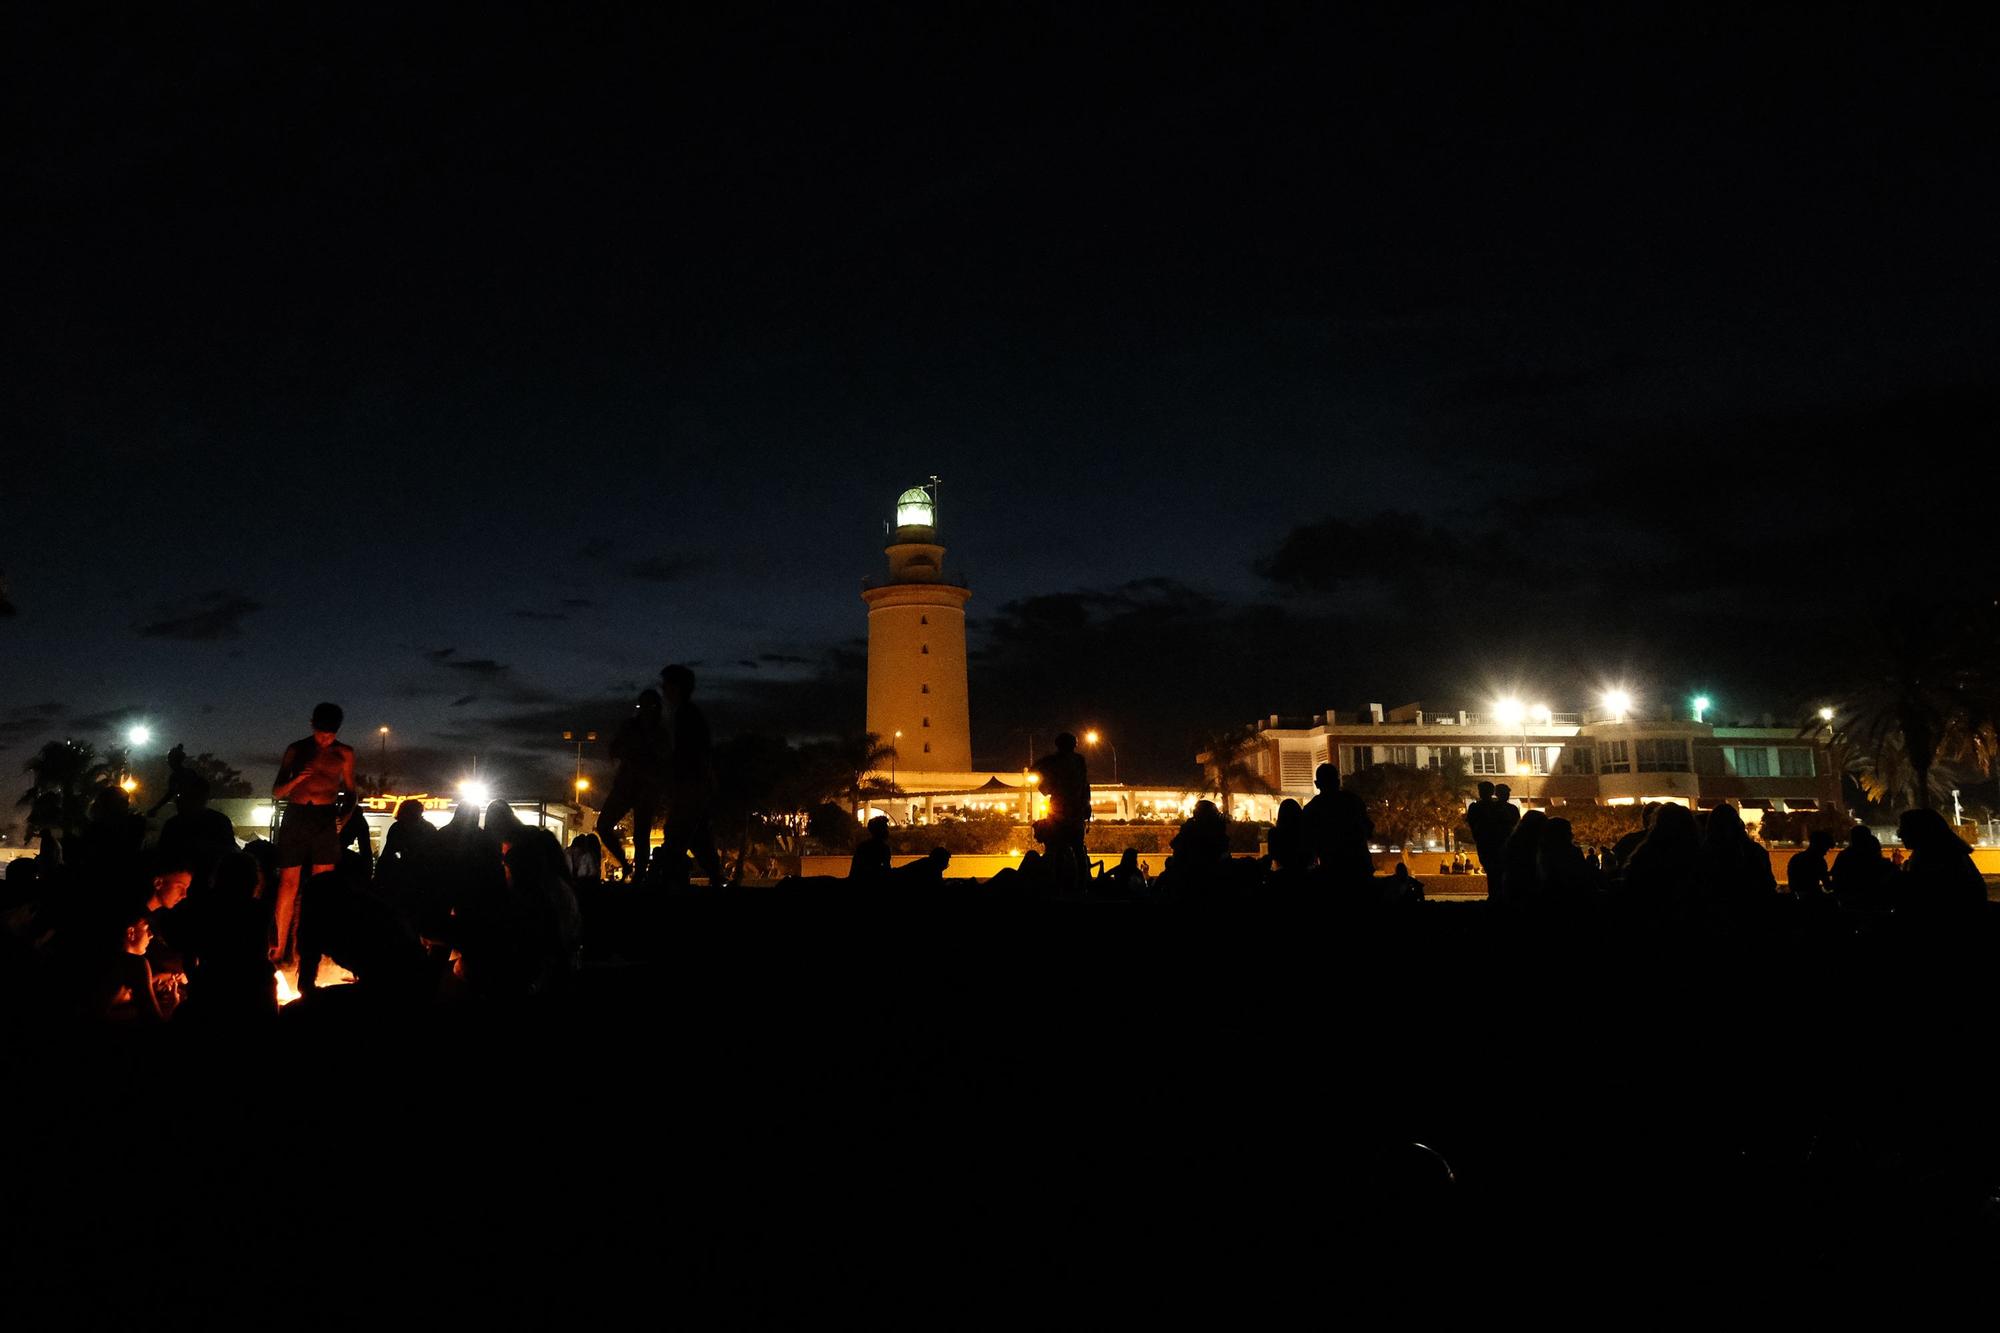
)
(917, 647)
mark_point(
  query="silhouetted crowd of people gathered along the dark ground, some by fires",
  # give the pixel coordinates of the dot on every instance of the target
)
(197, 930)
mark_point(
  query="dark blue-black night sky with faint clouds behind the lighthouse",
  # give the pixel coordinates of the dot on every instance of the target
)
(469, 371)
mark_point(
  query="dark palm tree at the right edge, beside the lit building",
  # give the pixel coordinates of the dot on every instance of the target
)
(1931, 702)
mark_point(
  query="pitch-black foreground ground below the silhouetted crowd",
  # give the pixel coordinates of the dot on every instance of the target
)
(1033, 1116)
